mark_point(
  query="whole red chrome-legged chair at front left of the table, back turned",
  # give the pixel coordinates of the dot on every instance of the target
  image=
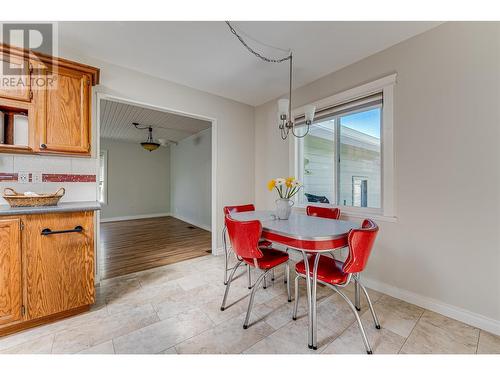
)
(244, 236)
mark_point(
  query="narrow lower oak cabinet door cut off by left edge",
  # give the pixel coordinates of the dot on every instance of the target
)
(10, 271)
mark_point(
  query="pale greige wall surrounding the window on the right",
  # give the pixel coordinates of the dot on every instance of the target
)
(443, 252)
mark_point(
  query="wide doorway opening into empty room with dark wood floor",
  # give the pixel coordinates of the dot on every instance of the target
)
(157, 205)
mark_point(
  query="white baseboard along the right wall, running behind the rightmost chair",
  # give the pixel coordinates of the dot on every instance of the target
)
(465, 316)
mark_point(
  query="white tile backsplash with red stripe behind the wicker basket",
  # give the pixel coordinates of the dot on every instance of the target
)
(77, 175)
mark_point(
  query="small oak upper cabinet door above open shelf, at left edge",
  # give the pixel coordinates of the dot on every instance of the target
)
(18, 85)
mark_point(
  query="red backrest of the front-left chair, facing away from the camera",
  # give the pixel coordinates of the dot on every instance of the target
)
(244, 236)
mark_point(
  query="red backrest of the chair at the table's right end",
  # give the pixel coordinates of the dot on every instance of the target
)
(360, 246)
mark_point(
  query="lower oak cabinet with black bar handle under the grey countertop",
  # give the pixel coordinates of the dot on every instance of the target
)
(46, 267)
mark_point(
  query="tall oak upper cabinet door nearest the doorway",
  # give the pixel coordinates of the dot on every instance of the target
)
(65, 127)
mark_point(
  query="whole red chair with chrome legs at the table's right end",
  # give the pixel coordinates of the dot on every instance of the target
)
(336, 274)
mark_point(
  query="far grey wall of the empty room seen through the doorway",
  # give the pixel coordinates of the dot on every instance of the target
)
(138, 181)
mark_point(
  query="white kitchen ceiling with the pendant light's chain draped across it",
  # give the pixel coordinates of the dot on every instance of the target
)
(206, 56)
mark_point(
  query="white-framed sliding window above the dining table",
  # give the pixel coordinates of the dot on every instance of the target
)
(346, 159)
